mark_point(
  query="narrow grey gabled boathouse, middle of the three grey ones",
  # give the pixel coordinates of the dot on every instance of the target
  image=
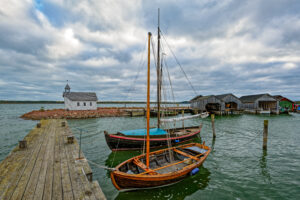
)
(232, 103)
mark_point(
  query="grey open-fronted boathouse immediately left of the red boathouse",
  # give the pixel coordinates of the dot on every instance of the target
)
(260, 103)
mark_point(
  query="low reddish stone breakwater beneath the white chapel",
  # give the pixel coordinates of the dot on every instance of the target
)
(77, 114)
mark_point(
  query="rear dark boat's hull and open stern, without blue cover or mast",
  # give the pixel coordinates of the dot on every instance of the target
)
(121, 142)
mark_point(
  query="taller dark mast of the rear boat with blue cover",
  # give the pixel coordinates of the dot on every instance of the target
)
(158, 74)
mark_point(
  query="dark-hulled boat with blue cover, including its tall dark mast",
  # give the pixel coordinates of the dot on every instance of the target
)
(127, 140)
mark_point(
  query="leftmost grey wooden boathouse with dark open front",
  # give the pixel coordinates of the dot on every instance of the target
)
(208, 103)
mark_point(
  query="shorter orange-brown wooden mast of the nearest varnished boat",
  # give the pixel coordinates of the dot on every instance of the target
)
(148, 104)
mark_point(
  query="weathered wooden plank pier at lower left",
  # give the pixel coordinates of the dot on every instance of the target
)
(46, 166)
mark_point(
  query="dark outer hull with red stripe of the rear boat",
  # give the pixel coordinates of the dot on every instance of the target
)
(121, 143)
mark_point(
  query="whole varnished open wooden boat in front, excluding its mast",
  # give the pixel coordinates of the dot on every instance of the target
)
(166, 167)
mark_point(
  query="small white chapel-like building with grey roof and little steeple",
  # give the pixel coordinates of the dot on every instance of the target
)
(79, 100)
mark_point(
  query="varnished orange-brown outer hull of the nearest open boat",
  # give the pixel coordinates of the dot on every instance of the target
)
(124, 181)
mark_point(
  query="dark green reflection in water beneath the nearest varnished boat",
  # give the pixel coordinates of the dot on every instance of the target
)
(179, 190)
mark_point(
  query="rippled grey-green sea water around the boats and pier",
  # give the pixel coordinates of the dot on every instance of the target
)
(237, 167)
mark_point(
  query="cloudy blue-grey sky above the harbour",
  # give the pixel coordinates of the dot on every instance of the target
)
(224, 46)
